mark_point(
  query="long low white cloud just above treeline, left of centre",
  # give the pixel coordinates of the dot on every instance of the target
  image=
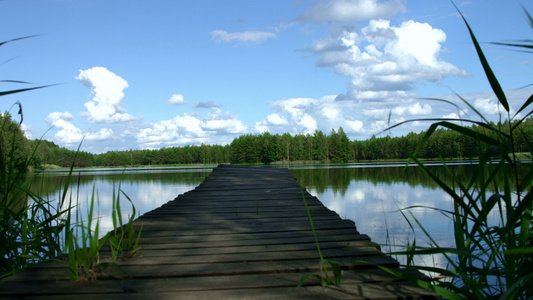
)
(214, 128)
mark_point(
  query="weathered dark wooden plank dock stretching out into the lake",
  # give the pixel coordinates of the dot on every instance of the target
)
(242, 234)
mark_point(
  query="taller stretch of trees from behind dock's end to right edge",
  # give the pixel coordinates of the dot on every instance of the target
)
(337, 148)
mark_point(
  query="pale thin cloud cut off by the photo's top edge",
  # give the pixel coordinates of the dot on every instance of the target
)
(350, 10)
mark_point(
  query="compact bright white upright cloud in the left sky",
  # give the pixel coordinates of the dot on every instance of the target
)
(107, 94)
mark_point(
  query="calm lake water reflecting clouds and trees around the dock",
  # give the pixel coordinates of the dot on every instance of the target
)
(370, 194)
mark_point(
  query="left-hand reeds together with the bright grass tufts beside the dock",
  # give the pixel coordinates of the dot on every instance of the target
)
(34, 228)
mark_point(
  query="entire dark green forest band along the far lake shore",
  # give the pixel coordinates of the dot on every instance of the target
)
(264, 148)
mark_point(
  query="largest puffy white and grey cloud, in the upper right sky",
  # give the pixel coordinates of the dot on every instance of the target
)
(384, 61)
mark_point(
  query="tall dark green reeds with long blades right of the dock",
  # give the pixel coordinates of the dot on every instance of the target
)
(493, 232)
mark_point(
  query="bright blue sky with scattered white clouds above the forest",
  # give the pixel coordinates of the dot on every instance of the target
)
(151, 74)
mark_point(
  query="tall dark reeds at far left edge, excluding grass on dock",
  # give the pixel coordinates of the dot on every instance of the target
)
(30, 226)
